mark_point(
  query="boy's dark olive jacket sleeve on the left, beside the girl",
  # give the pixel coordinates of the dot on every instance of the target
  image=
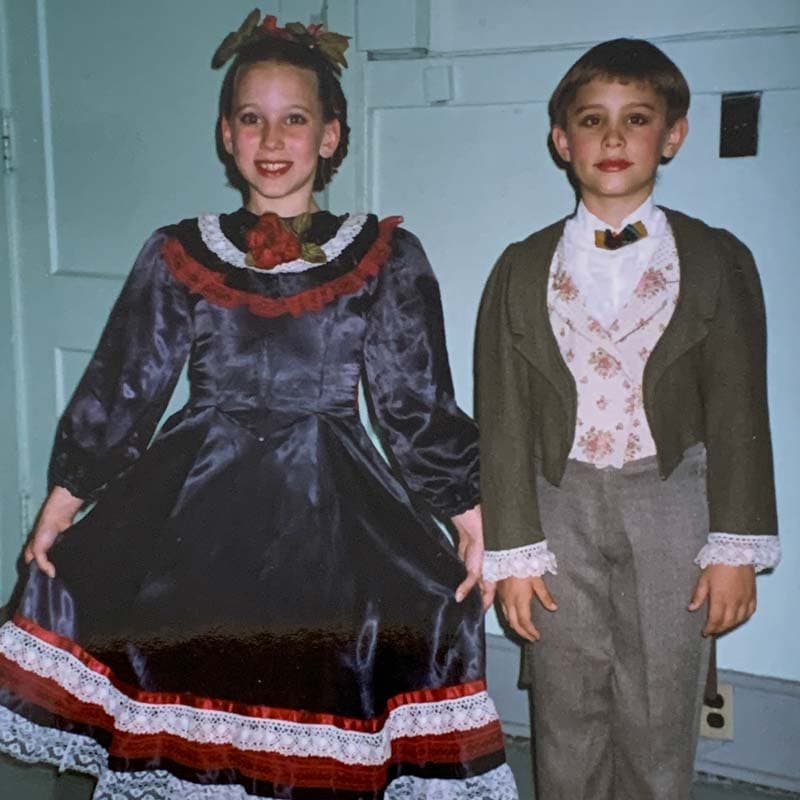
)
(505, 406)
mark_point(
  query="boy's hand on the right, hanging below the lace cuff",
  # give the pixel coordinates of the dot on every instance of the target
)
(731, 595)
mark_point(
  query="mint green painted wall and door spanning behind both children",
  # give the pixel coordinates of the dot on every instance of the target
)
(130, 148)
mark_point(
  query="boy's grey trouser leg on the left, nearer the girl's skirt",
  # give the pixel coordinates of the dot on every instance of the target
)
(571, 665)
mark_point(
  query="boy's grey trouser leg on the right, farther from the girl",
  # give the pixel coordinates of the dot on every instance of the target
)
(660, 655)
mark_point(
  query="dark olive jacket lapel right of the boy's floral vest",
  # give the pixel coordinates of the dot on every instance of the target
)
(700, 276)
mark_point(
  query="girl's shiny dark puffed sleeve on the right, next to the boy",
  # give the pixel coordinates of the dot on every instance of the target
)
(434, 443)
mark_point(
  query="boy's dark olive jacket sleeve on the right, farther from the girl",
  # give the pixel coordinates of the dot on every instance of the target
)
(740, 482)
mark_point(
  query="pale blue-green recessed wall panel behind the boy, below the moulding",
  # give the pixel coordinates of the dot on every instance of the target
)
(473, 173)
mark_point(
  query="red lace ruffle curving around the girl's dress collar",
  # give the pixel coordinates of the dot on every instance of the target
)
(211, 285)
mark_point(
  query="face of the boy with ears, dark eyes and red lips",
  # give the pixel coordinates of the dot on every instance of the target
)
(615, 136)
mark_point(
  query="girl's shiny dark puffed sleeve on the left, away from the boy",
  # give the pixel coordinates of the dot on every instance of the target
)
(129, 380)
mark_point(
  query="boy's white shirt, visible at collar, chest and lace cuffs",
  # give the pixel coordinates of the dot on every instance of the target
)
(606, 279)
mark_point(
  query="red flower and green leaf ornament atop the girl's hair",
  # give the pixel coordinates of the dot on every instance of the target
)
(331, 46)
